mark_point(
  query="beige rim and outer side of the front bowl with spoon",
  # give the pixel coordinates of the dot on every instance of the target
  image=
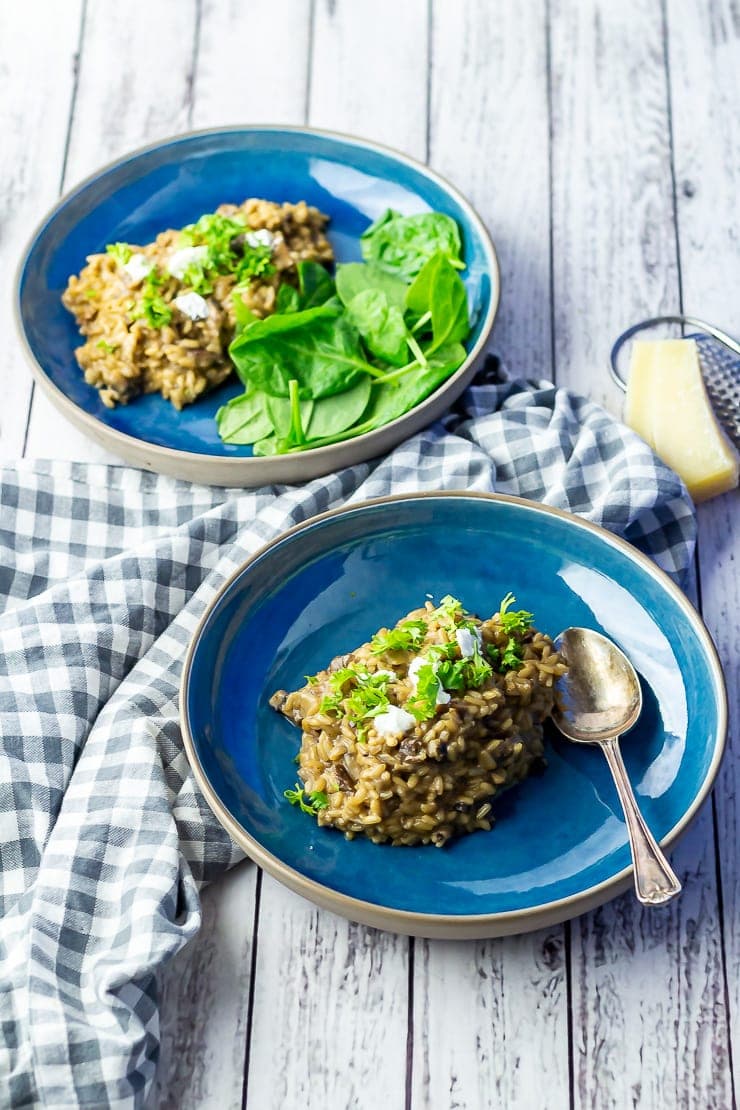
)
(414, 922)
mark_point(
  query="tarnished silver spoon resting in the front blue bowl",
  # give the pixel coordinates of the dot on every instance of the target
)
(602, 699)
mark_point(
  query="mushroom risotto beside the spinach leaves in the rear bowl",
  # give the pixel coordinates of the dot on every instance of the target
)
(160, 318)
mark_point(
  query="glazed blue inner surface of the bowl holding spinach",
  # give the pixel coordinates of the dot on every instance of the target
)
(176, 184)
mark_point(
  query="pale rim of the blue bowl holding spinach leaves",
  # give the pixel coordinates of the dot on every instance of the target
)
(98, 428)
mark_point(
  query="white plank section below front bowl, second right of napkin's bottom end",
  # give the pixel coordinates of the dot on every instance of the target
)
(330, 1011)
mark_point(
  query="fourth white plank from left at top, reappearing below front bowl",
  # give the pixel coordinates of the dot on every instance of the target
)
(330, 1017)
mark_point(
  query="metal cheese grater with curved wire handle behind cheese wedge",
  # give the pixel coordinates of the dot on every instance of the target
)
(719, 358)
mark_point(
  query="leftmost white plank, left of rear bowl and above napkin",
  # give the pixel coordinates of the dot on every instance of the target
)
(38, 67)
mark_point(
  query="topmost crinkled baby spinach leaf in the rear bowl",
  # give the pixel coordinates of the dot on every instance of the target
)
(403, 244)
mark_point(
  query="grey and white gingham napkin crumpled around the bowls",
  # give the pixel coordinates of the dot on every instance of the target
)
(105, 839)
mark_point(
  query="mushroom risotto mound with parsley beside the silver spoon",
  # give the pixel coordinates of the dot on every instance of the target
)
(411, 738)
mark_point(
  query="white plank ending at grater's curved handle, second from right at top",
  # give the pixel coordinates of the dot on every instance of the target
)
(614, 239)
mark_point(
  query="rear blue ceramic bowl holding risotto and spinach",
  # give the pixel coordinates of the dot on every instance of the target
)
(174, 184)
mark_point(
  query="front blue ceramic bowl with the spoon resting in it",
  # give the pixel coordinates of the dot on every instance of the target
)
(560, 845)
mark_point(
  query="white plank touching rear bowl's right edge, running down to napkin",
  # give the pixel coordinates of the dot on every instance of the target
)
(490, 136)
